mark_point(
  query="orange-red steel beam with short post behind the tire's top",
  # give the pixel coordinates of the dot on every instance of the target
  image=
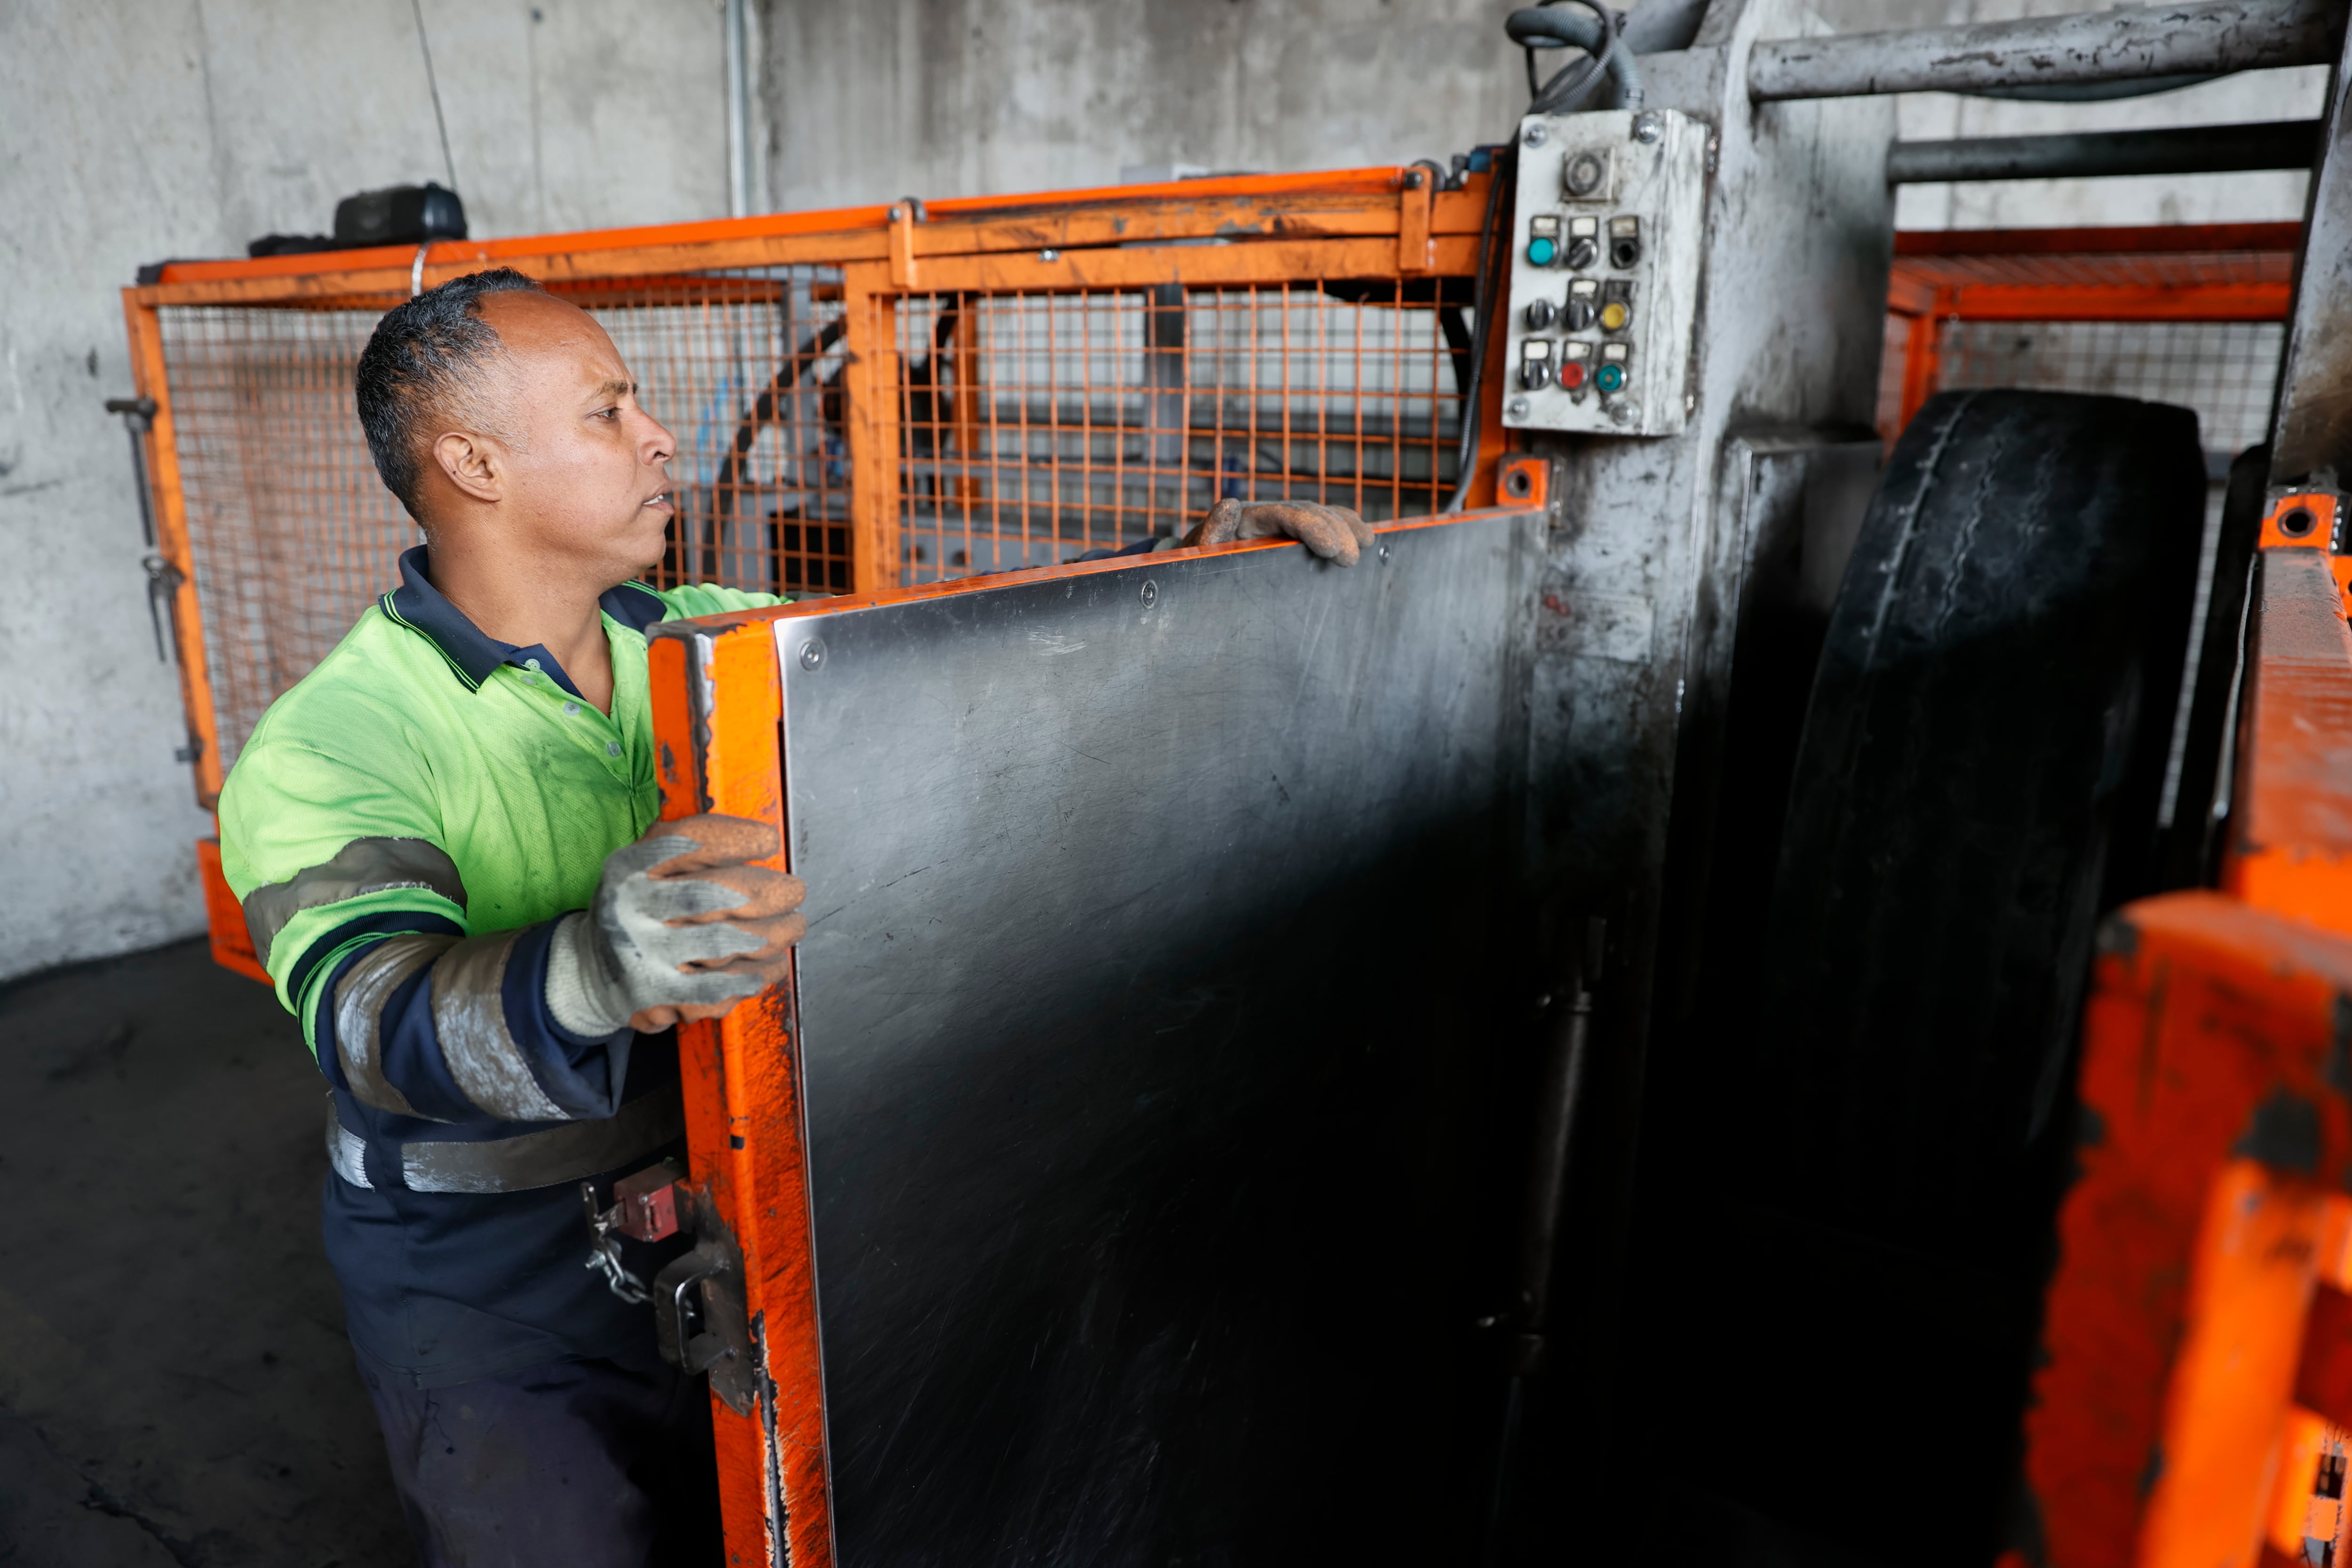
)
(1923, 295)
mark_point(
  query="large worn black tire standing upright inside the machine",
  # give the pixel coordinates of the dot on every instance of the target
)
(1977, 784)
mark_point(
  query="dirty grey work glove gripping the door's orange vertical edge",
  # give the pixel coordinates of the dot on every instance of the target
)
(683, 927)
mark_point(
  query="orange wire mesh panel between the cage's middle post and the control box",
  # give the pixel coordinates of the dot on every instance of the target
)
(1038, 427)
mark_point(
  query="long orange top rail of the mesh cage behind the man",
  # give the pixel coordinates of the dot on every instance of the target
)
(1351, 203)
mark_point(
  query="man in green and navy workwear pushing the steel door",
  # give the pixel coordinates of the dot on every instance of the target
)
(448, 857)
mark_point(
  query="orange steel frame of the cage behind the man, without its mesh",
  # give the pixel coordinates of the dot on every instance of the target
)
(1229, 232)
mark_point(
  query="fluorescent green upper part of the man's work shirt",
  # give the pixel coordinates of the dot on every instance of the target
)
(422, 728)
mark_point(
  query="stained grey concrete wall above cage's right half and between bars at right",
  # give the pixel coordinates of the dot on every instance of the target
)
(975, 98)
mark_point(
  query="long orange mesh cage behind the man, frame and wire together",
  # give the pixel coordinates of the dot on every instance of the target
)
(862, 398)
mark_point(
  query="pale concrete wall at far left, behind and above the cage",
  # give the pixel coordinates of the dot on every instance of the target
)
(185, 128)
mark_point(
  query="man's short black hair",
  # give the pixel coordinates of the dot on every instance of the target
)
(425, 359)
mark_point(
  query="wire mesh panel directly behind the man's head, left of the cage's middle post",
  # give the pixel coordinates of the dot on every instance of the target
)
(293, 532)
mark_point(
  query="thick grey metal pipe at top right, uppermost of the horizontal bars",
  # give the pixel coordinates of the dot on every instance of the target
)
(2127, 43)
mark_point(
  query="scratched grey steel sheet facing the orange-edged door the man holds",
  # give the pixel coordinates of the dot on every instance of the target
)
(1149, 1014)
